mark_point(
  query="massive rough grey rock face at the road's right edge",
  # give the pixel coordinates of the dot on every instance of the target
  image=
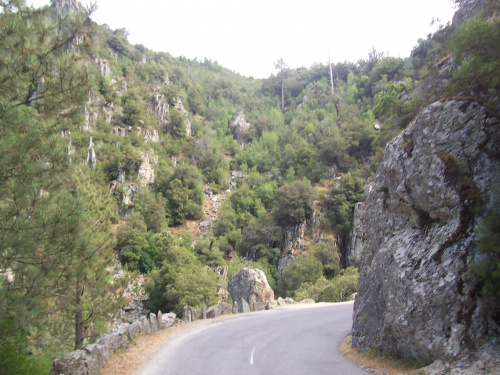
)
(415, 297)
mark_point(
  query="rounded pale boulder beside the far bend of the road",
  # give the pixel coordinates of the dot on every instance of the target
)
(250, 285)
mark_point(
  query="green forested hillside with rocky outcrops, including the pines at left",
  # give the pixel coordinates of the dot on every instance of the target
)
(110, 153)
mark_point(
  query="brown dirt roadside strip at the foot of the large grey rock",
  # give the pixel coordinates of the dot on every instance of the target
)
(377, 364)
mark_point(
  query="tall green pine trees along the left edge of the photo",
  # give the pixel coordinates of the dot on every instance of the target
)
(55, 240)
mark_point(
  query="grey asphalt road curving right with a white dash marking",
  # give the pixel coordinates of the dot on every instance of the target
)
(293, 340)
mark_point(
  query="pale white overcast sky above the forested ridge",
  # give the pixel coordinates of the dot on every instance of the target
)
(248, 36)
